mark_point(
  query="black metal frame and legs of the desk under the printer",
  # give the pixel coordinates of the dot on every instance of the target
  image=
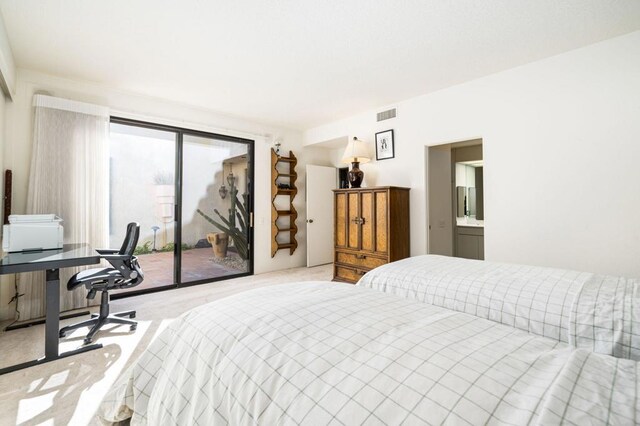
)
(52, 291)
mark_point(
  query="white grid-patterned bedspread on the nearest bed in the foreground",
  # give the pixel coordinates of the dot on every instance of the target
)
(326, 353)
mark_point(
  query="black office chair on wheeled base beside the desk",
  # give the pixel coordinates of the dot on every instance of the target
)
(126, 273)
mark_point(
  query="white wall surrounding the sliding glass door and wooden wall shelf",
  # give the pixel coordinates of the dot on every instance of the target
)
(18, 136)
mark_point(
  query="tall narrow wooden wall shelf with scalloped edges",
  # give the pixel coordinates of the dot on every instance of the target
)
(283, 221)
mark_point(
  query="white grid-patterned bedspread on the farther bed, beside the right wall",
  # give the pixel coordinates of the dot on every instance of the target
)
(594, 312)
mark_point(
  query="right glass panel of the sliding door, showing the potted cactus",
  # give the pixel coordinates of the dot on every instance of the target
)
(215, 208)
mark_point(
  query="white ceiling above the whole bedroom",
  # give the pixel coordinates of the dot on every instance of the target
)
(298, 63)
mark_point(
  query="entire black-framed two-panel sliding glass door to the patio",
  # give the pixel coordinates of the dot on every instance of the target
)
(191, 193)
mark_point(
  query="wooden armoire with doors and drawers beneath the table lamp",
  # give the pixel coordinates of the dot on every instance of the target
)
(371, 229)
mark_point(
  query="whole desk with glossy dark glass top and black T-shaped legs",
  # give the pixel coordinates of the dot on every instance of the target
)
(50, 261)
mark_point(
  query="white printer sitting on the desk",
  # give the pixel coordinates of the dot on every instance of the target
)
(27, 232)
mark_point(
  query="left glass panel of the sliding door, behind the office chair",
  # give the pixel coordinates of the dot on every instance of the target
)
(142, 189)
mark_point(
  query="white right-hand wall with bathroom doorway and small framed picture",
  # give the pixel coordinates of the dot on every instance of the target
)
(561, 141)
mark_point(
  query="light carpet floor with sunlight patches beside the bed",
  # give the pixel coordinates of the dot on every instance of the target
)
(69, 391)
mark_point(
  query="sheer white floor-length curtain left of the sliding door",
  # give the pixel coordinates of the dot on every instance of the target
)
(69, 177)
